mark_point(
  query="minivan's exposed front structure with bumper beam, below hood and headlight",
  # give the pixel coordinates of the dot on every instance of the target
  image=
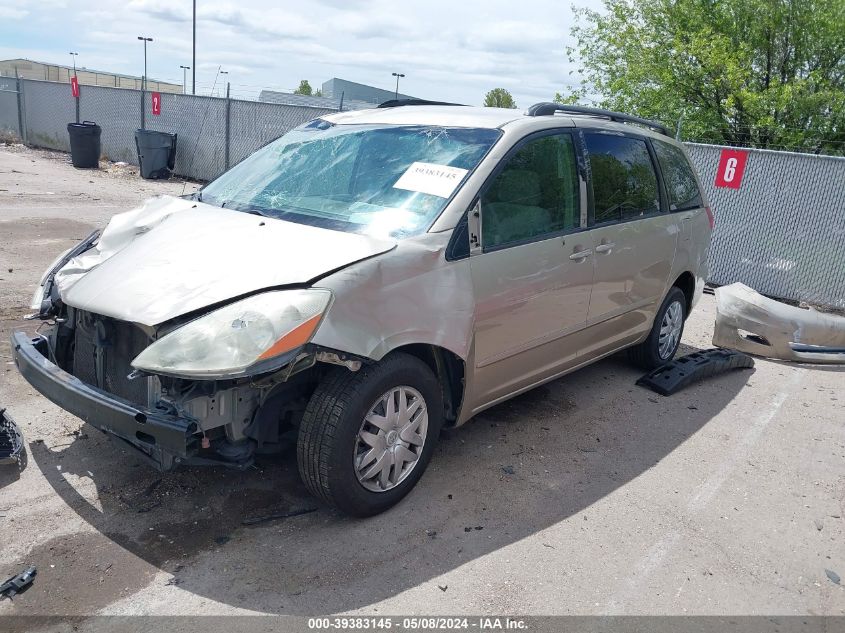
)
(83, 363)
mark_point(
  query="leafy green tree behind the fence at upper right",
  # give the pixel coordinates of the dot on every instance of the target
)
(764, 73)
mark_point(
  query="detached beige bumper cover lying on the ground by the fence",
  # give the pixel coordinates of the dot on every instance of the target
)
(749, 322)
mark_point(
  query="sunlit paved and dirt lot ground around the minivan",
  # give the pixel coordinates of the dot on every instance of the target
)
(587, 496)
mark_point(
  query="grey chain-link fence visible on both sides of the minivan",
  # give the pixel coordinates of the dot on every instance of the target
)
(782, 232)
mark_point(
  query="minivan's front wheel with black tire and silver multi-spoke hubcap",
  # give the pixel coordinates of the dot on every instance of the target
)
(332, 453)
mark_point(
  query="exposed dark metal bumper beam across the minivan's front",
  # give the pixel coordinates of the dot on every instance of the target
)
(166, 440)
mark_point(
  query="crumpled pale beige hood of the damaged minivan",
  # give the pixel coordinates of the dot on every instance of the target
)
(173, 256)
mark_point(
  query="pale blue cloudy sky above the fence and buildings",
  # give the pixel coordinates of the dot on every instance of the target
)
(450, 50)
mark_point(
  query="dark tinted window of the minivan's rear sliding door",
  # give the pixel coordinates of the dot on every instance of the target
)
(624, 180)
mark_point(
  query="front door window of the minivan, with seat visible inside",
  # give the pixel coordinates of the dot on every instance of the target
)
(536, 193)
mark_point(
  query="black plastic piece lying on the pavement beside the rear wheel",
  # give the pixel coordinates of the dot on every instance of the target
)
(681, 372)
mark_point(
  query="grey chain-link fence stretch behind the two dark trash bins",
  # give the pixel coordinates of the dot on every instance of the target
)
(214, 133)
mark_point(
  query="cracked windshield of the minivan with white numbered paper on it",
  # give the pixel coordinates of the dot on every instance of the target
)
(381, 180)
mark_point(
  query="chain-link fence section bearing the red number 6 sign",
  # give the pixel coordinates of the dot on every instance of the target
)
(782, 232)
